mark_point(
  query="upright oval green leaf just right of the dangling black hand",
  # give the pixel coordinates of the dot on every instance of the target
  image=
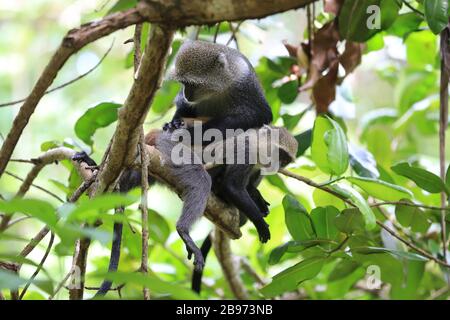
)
(298, 221)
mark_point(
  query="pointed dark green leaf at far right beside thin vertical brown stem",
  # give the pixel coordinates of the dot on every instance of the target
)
(422, 178)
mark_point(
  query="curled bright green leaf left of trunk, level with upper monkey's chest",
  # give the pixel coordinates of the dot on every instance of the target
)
(100, 116)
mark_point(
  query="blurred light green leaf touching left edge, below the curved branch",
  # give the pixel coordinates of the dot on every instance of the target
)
(39, 209)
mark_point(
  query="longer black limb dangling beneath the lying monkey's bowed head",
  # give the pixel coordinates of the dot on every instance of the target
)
(235, 190)
